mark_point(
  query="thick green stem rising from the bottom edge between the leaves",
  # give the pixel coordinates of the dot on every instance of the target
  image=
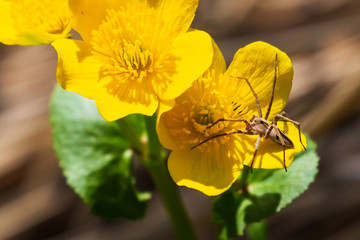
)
(167, 189)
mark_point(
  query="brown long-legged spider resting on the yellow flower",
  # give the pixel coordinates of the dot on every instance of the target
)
(261, 126)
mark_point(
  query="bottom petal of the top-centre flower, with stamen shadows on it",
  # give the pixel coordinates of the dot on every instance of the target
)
(115, 100)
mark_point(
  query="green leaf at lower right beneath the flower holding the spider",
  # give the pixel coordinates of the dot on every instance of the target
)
(268, 192)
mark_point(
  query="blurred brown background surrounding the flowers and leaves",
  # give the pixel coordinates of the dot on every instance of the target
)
(323, 40)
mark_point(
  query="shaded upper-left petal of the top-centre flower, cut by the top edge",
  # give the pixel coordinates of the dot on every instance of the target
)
(87, 15)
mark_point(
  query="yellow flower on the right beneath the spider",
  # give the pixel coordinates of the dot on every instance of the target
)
(214, 165)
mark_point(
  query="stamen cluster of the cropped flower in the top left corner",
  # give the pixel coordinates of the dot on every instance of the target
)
(46, 16)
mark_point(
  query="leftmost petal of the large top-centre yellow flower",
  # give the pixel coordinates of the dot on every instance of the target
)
(77, 69)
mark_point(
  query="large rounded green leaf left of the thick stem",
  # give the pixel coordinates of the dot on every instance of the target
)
(95, 156)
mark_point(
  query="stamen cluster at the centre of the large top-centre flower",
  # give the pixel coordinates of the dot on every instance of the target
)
(125, 44)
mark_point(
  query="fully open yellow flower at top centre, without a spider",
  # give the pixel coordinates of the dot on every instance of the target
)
(133, 55)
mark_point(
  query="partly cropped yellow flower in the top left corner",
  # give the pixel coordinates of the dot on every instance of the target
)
(27, 22)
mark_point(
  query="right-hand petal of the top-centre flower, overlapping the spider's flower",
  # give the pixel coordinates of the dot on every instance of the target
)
(192, 53)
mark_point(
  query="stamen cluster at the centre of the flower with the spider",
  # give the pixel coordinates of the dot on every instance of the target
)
(196, 111)
